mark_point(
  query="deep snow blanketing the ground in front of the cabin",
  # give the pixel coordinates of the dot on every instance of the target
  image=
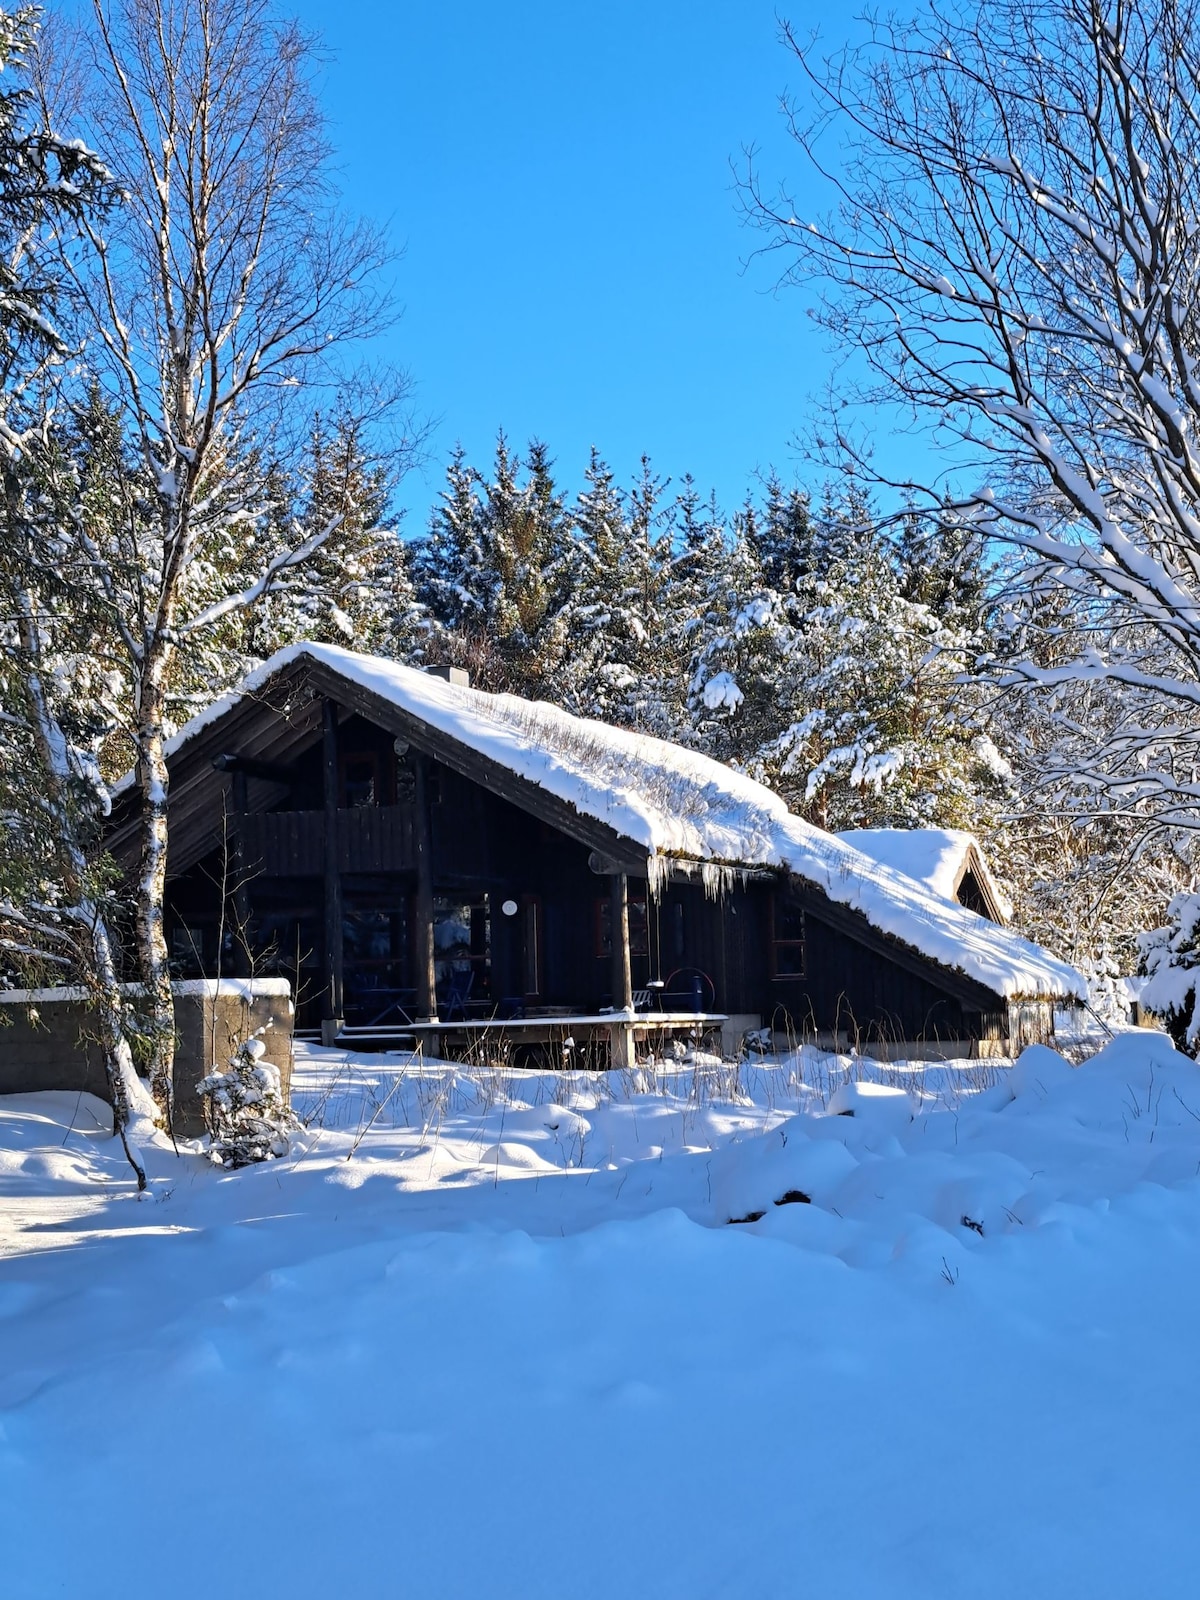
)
(495, 1335)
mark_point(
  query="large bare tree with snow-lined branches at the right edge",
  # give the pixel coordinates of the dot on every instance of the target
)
(1014, 254)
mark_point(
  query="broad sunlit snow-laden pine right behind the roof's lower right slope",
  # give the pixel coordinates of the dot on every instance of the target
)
(846, 695)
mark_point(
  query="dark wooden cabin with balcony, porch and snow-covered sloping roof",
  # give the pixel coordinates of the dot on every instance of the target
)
(415, 855)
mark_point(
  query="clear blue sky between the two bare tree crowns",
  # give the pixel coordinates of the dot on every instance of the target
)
(559, 178)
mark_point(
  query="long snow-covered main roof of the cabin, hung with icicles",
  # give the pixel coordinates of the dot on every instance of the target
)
(673, 802)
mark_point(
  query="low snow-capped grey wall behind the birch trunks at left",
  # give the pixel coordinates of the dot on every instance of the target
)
(47, 1039)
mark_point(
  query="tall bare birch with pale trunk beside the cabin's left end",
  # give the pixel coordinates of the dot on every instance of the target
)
(218, 300)
